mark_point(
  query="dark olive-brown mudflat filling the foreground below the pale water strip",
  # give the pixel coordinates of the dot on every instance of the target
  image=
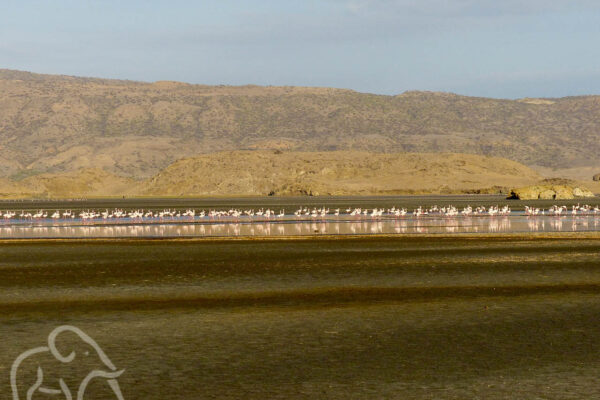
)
(358, 318)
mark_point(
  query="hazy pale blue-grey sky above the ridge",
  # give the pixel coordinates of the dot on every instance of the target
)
(497, 48)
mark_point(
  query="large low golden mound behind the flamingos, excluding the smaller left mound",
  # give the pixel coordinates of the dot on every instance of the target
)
(336, 173)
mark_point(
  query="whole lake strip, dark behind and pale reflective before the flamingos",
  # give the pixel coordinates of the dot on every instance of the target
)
(288, 226)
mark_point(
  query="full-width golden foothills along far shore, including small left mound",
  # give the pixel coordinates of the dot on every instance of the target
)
(259, 173)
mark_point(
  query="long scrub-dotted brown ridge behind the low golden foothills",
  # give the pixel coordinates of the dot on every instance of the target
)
(53, 124)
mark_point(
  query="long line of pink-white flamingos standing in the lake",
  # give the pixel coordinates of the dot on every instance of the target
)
(306, 213)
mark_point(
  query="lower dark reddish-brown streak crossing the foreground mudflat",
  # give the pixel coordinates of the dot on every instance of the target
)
(297, 298)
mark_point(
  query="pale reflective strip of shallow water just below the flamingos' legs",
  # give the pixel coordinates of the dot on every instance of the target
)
(290, 227)
